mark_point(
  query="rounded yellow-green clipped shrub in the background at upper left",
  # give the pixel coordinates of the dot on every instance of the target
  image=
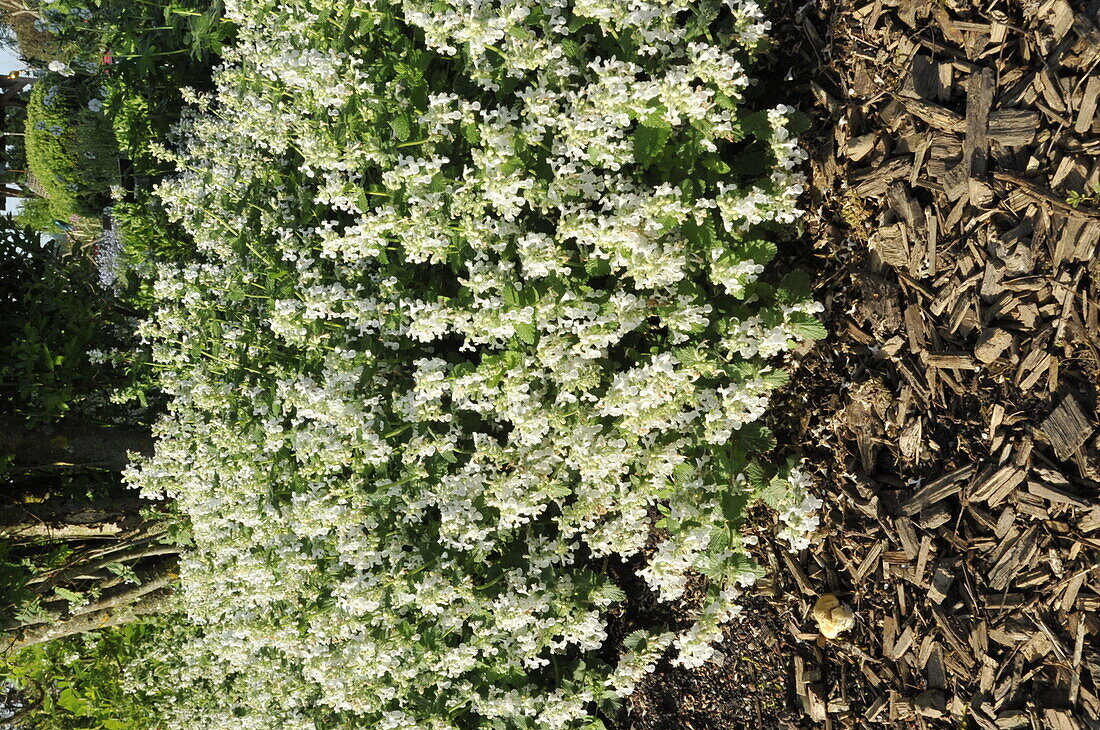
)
(71, 148)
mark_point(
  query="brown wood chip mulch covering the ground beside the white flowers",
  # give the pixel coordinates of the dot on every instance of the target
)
(951, 417)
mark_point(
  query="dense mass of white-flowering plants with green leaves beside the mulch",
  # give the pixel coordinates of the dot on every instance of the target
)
(456, 334)
